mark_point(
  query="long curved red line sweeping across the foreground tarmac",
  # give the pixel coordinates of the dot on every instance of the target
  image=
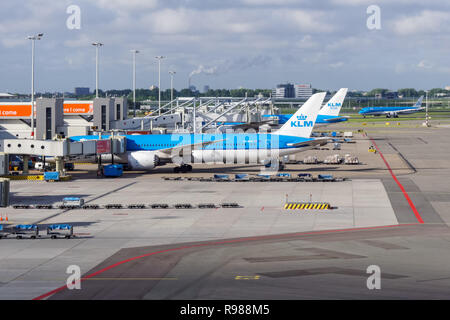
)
(312, 233)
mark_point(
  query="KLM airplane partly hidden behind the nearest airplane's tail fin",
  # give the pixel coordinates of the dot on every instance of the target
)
(327, 115)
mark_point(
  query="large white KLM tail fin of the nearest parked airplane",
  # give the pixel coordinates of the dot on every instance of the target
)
(302, 122)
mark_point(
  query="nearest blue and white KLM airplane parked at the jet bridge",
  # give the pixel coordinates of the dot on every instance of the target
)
(145, 152)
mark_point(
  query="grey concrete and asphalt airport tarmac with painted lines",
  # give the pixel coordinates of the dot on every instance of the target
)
(256, 251)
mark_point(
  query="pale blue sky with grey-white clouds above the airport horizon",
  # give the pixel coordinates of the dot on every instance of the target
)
(226, 44)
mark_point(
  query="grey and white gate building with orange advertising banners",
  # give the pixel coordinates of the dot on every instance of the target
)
(55, 116)
